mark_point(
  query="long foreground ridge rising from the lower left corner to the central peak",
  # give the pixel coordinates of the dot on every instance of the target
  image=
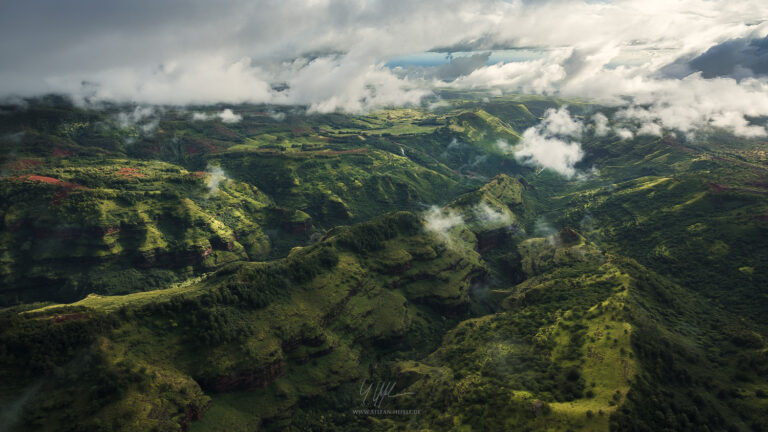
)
(284, 330)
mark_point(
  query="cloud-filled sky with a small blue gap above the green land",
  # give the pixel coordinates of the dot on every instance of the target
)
(675, 64)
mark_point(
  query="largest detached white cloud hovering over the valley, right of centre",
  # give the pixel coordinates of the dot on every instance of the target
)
(546, 144)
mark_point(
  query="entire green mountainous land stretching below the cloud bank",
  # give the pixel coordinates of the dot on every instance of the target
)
(162, 273)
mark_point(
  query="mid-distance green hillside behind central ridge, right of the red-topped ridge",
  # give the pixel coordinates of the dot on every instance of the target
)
(337, 187)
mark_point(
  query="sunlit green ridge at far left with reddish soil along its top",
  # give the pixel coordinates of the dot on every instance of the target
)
(154, 222)
